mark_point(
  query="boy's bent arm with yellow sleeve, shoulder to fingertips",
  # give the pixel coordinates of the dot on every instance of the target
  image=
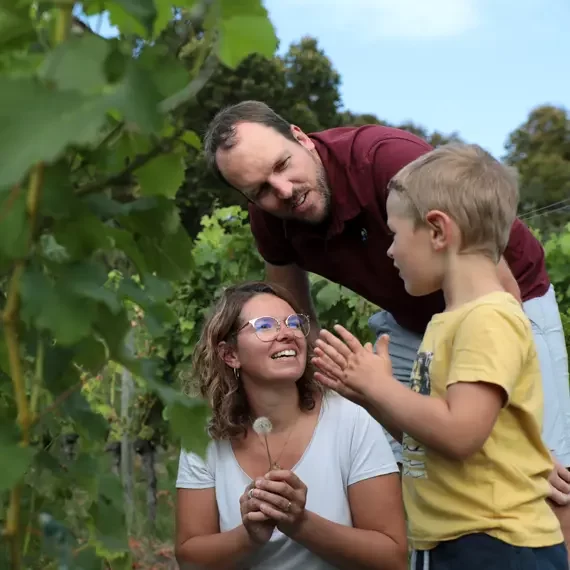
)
(488, 351)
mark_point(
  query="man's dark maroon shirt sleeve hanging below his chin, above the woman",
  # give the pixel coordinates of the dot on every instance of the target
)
(270, 238)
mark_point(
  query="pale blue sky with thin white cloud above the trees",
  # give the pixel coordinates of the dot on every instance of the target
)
(477, 67)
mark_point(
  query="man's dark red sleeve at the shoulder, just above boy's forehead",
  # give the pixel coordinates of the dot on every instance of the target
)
(390, 155)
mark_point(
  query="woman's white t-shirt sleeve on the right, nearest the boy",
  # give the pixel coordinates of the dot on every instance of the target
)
(370, 452)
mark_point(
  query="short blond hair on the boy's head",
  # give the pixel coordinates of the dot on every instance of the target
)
(464, 181)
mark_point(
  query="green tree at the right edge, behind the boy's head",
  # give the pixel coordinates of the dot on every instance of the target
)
(540, 151)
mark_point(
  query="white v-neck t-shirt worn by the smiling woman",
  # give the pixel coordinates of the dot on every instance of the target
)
(347, 446)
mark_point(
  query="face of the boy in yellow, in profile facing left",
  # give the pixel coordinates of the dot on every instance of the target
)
(412, 250)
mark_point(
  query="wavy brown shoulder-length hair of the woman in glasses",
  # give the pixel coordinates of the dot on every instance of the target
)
(217, 381)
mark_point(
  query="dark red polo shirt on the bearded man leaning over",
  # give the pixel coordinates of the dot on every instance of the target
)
(351, 248)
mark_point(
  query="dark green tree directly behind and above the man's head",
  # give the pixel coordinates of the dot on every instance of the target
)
(302, 86)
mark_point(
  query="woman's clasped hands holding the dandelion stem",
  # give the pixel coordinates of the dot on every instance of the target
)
(277, 500)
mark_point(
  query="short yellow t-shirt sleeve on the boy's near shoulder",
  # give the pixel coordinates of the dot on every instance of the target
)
(491, 345)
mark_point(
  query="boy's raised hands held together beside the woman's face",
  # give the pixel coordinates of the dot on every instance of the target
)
(351, 369)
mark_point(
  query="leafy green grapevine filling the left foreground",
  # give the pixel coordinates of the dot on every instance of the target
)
(94, 143)
